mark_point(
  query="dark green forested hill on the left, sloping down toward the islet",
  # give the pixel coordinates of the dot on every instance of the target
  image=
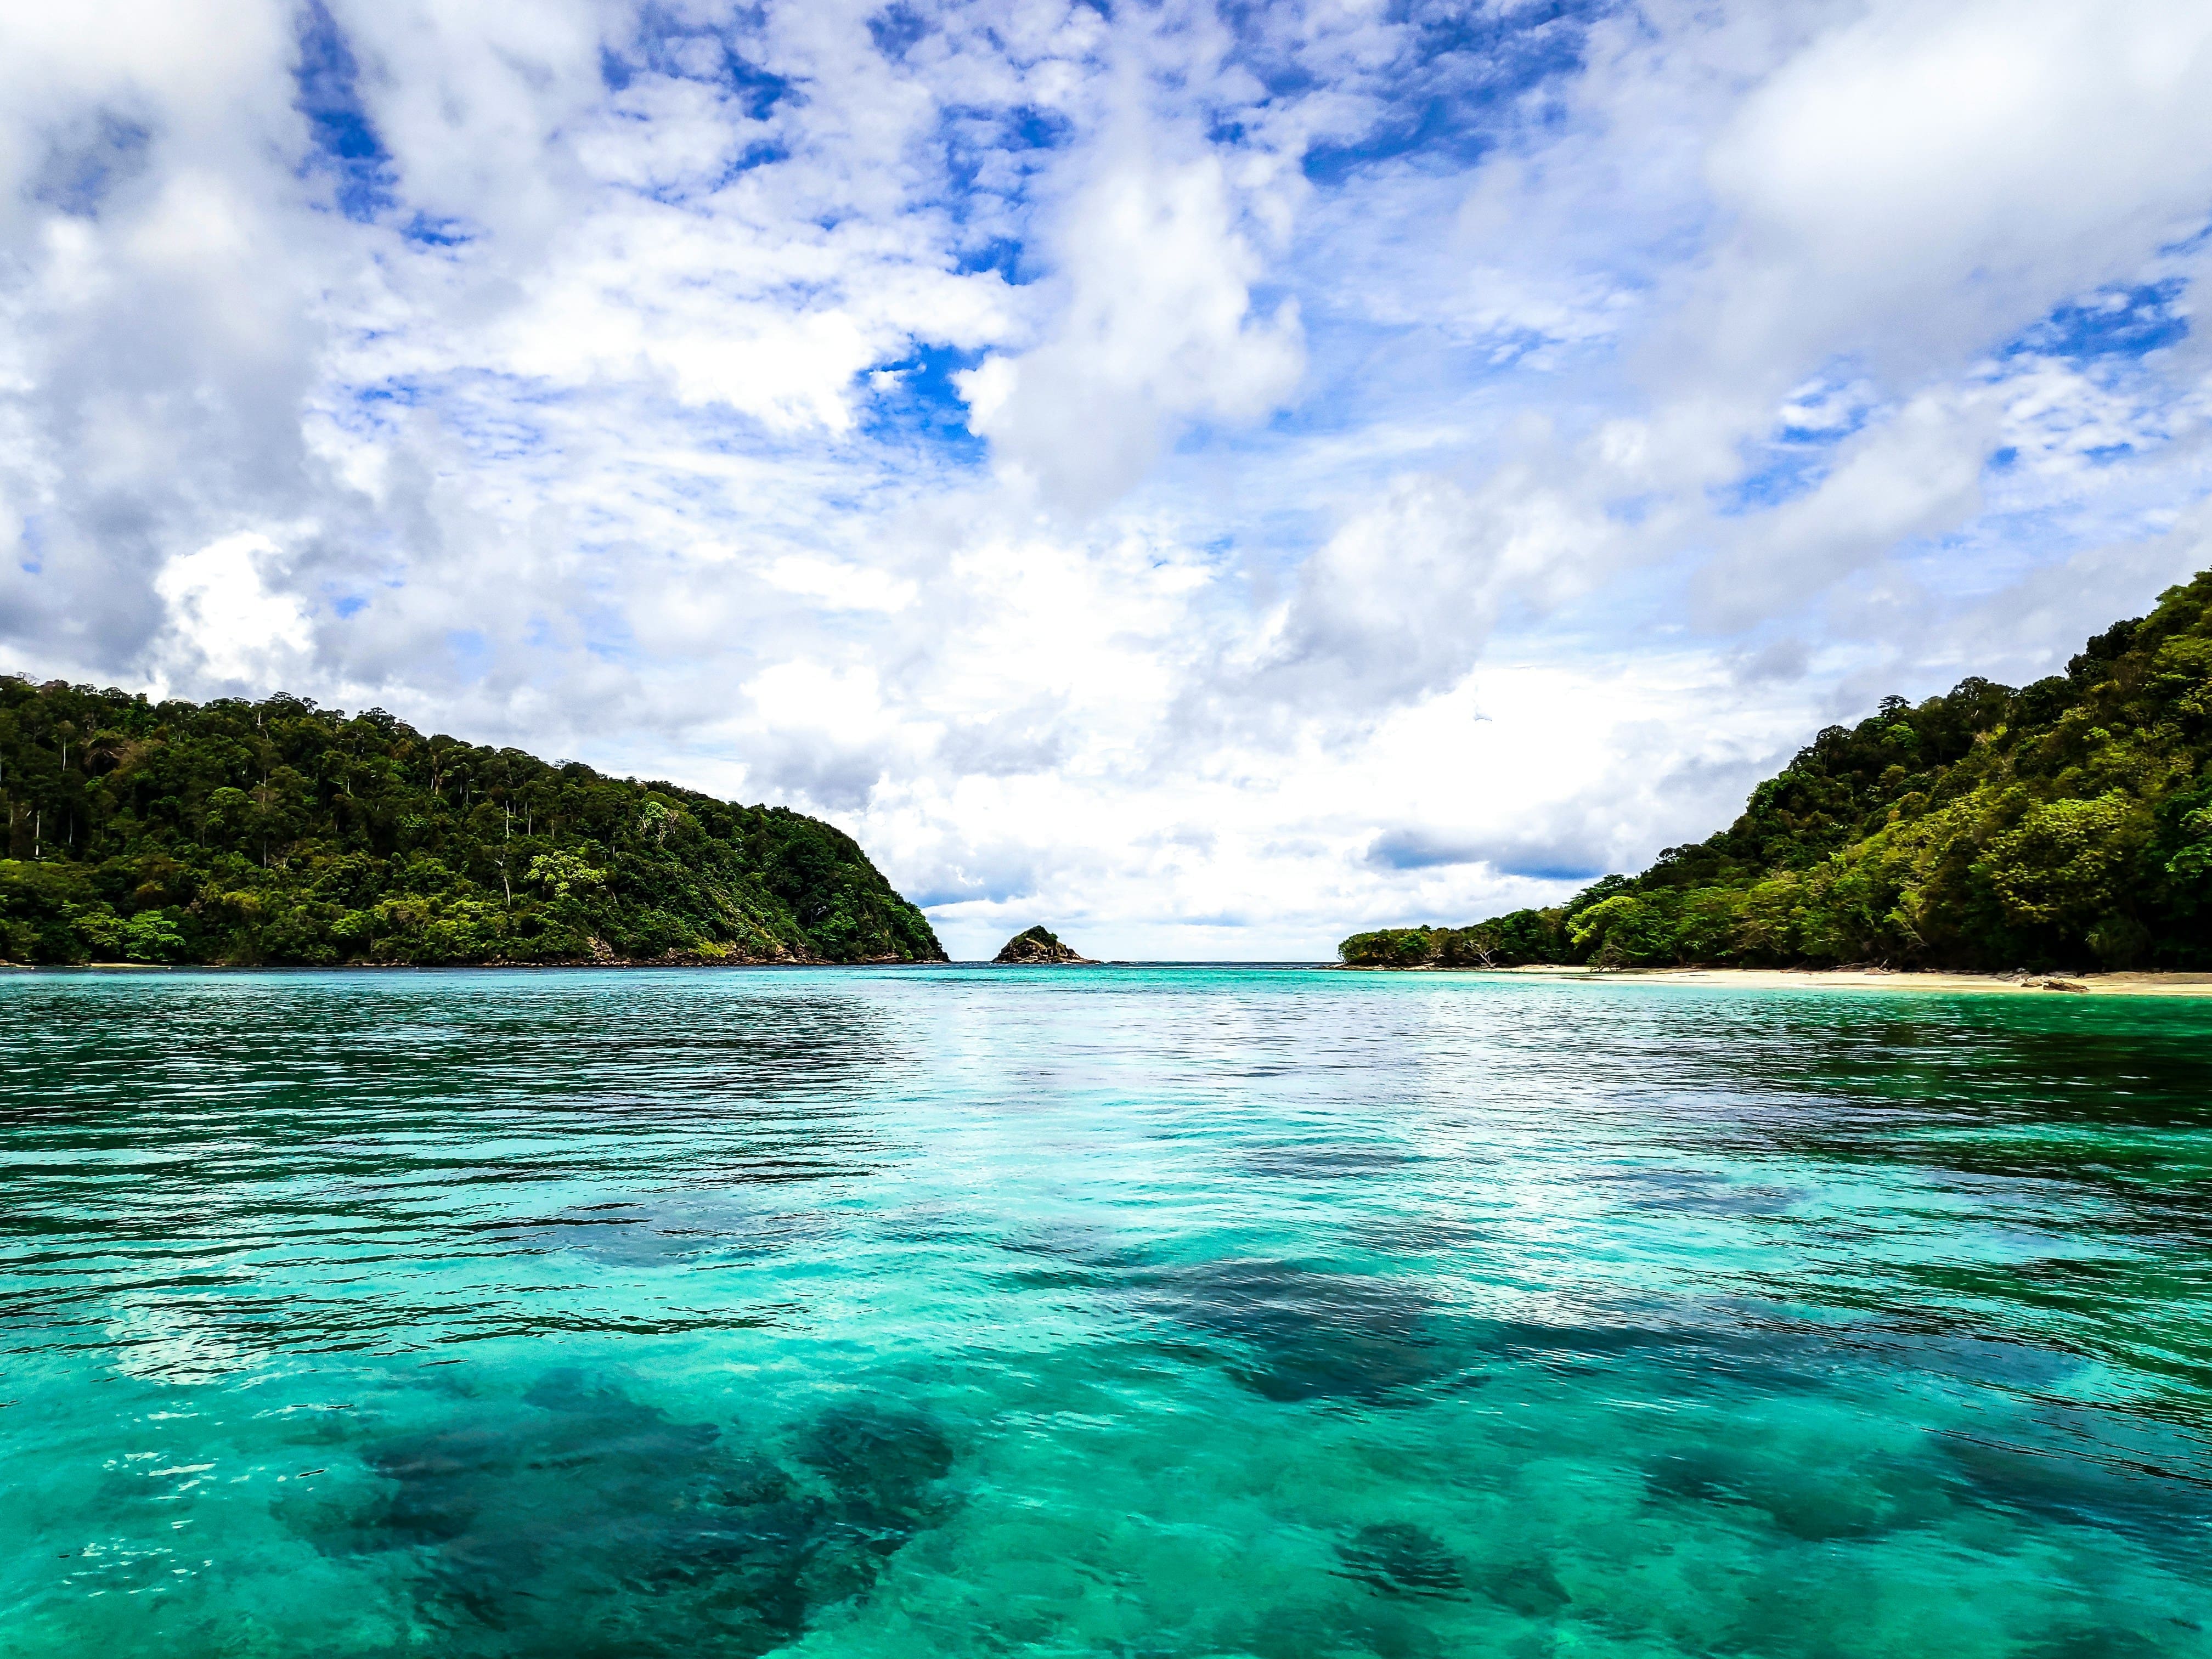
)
(293, 835)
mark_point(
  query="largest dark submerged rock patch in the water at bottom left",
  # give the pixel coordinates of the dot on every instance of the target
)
(583, 1521)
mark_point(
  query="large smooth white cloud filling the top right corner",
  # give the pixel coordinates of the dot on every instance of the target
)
(1945, 171)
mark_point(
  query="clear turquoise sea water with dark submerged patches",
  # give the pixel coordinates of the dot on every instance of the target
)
(1098, 1313)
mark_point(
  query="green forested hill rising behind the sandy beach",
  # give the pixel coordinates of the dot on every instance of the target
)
(2067, 824)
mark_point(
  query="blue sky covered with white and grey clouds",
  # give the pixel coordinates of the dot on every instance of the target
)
(1202, 477)
